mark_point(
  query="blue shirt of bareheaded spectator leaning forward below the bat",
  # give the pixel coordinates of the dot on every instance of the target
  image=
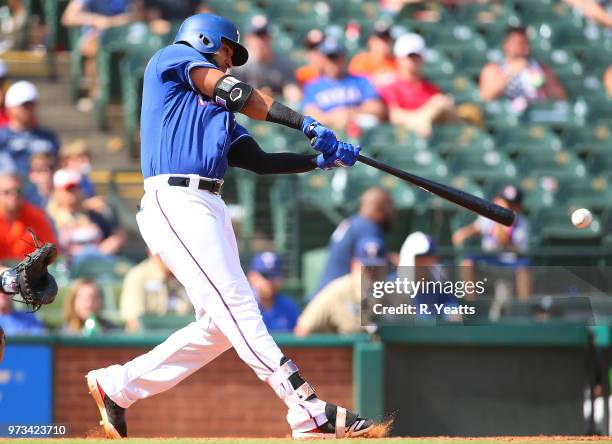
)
(342, 246)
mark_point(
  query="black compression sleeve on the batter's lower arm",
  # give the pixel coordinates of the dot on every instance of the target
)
(247, 154)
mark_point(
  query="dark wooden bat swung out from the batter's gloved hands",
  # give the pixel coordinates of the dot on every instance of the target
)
(476, 204)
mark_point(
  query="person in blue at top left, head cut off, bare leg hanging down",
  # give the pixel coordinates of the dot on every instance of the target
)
(94, 16)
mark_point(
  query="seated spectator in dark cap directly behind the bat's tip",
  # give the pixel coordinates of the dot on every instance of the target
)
(501, 245)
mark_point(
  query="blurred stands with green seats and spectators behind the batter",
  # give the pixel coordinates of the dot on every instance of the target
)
(509, 100)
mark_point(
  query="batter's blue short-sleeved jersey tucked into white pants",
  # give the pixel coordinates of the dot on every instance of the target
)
(181, 131)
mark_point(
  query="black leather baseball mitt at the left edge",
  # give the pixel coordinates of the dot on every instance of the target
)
(31, 279)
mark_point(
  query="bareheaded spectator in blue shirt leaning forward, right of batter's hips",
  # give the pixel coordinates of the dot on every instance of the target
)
(376, 215)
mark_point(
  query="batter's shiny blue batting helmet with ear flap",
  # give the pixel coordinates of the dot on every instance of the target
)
(205, 32)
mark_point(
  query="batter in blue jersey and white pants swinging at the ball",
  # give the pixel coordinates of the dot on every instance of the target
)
(189, 138)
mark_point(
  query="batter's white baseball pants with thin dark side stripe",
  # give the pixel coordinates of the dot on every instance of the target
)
(192, 231)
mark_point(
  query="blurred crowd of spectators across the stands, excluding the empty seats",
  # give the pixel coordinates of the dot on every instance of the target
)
(45, 185)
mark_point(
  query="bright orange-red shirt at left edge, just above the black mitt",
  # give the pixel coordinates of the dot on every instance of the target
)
(16, 241)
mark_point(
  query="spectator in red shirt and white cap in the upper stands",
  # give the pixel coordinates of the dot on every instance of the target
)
(414, 102)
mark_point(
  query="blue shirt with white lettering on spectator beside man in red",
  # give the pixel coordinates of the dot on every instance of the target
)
(328, 94)
